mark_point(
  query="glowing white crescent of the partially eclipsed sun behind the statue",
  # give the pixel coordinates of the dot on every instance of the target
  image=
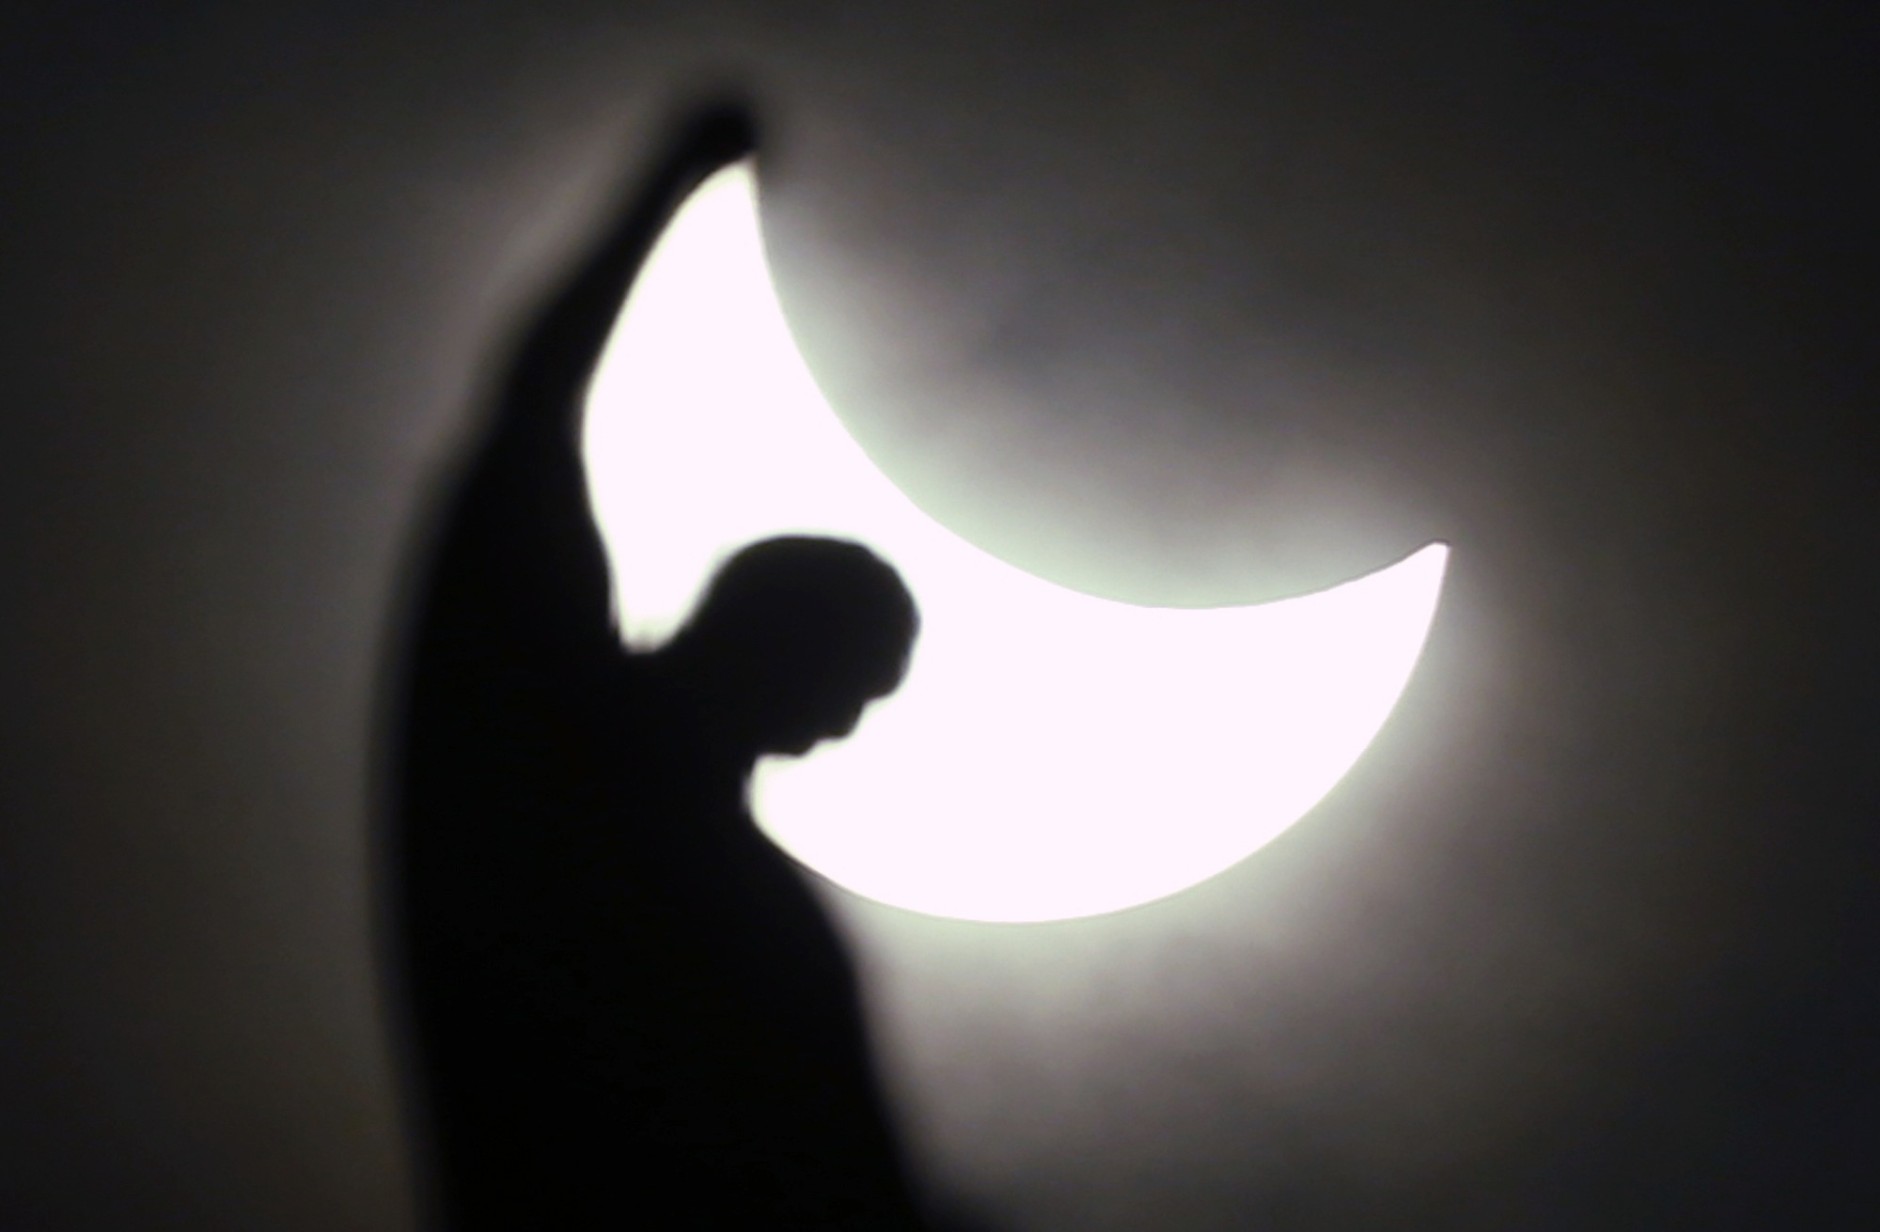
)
(1052, 753)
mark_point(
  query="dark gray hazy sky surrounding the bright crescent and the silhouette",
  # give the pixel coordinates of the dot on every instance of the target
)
(1182, 302)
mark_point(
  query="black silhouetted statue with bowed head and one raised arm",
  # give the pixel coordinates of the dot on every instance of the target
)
(627, 1005)
